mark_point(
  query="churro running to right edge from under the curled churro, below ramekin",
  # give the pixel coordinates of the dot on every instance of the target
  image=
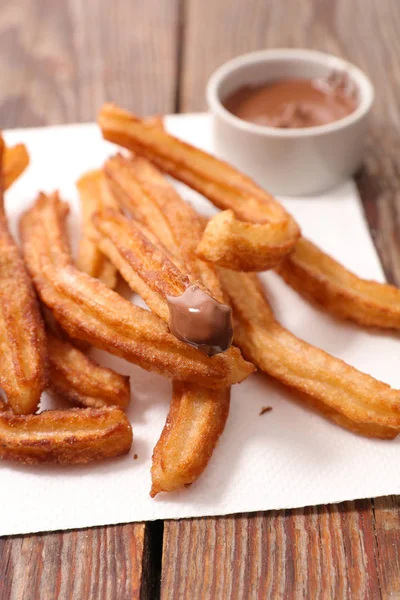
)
(320, 279)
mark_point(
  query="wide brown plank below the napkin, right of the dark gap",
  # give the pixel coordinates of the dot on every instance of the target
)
(320, 552)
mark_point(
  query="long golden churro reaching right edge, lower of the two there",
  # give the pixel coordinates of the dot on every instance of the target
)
(341, 392)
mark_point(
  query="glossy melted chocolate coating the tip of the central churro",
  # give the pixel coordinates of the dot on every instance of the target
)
(196, 318)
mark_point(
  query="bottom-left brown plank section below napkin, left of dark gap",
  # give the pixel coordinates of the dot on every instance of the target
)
(90, 563)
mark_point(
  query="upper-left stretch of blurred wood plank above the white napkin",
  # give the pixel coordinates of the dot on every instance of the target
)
(60, 60)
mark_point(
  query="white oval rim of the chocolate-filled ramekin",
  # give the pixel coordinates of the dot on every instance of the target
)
(361, 80)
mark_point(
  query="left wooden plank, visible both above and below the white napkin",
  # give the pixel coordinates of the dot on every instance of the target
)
(59, 61)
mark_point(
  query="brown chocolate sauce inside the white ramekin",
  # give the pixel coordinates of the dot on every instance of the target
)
(295, 103)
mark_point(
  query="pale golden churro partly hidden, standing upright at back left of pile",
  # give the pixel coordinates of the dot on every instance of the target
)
(94, 197)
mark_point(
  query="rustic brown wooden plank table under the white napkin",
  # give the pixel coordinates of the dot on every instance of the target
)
(60, 60)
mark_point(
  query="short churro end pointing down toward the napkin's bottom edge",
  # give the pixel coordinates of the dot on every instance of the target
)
(194, 424)
